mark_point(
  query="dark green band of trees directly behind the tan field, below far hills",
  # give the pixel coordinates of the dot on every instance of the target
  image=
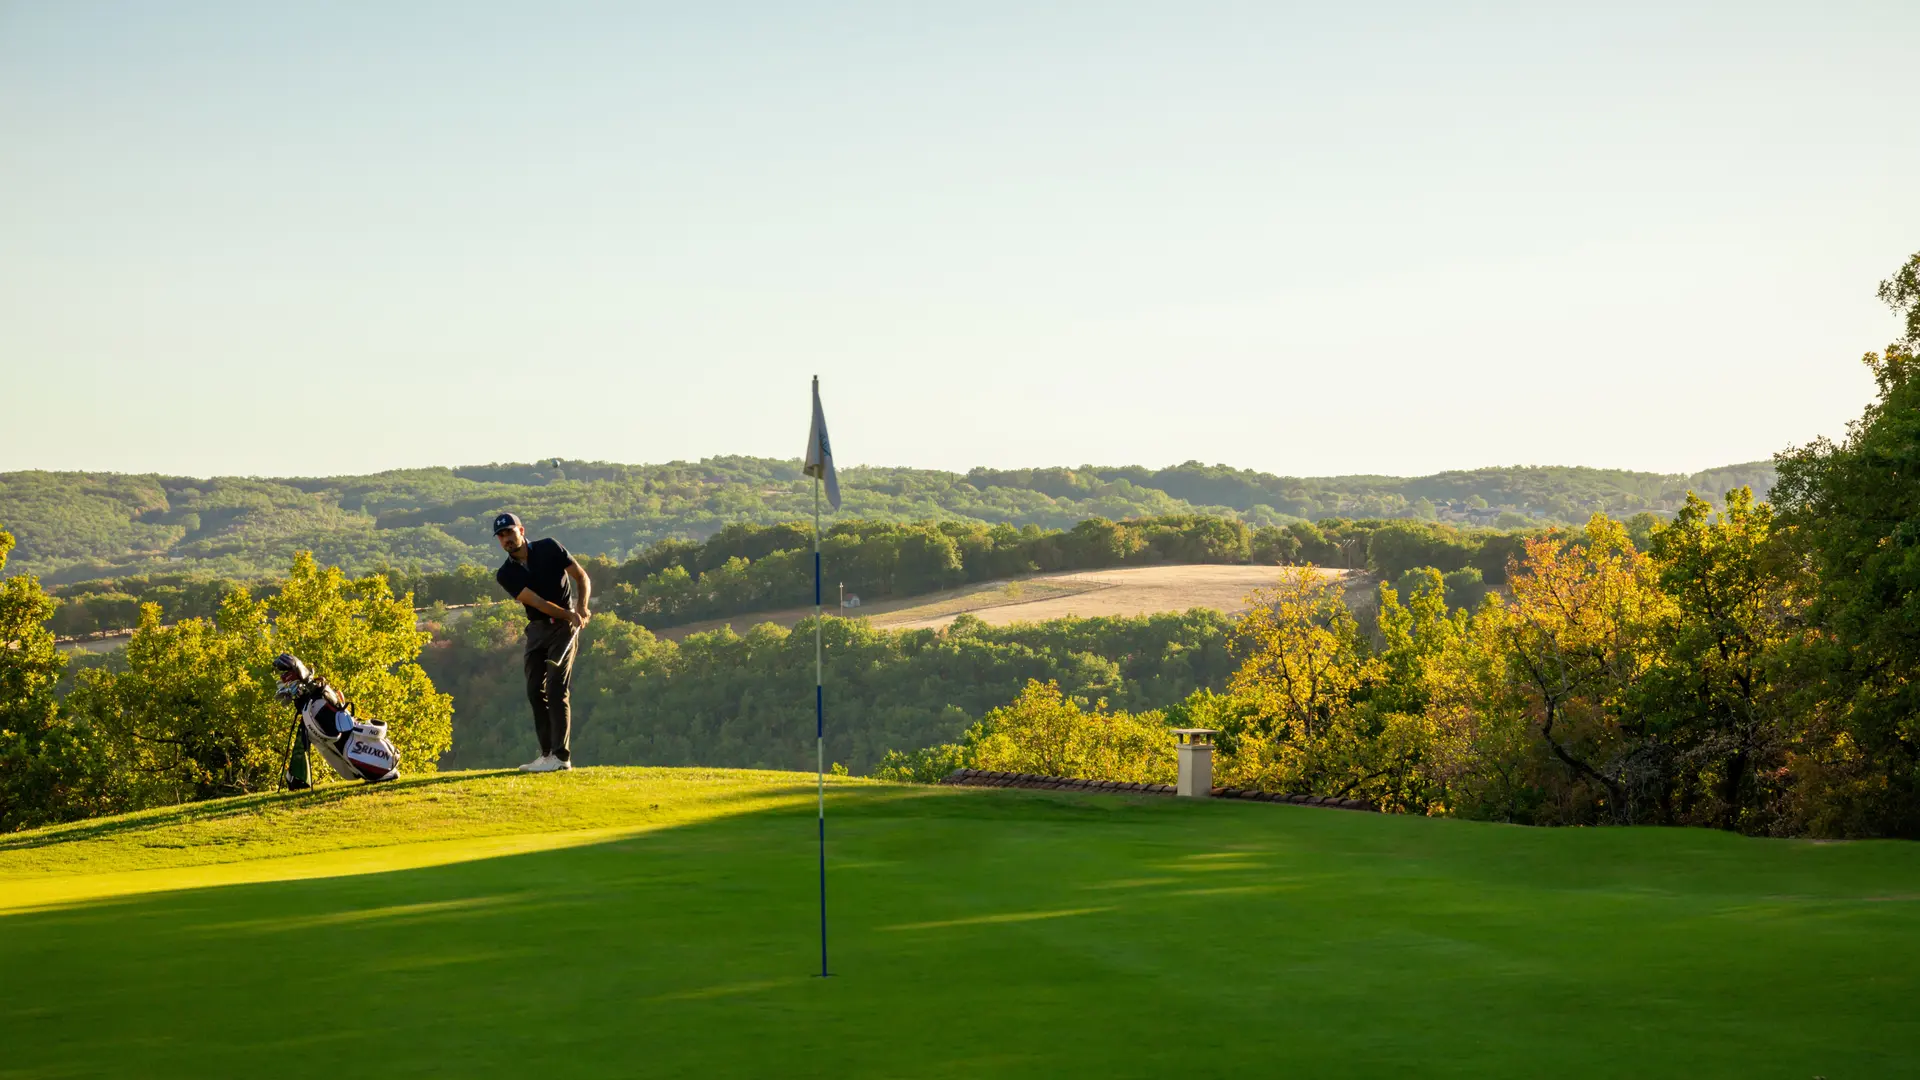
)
(761, 568)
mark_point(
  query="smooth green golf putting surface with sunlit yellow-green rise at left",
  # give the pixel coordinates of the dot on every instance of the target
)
(661, 923)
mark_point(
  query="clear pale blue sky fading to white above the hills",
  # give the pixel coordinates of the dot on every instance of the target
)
(274, 239)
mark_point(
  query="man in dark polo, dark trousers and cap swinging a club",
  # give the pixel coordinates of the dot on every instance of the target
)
(554, 591)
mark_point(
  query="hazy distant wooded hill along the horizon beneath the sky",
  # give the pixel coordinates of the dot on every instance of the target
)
(89, 526)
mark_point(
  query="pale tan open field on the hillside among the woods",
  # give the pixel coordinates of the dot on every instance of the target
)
(1128, 591)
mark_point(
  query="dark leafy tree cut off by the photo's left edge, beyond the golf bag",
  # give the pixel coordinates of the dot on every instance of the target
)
(51, 770)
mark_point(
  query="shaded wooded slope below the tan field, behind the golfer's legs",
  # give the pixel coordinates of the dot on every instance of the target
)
(746, 700)
